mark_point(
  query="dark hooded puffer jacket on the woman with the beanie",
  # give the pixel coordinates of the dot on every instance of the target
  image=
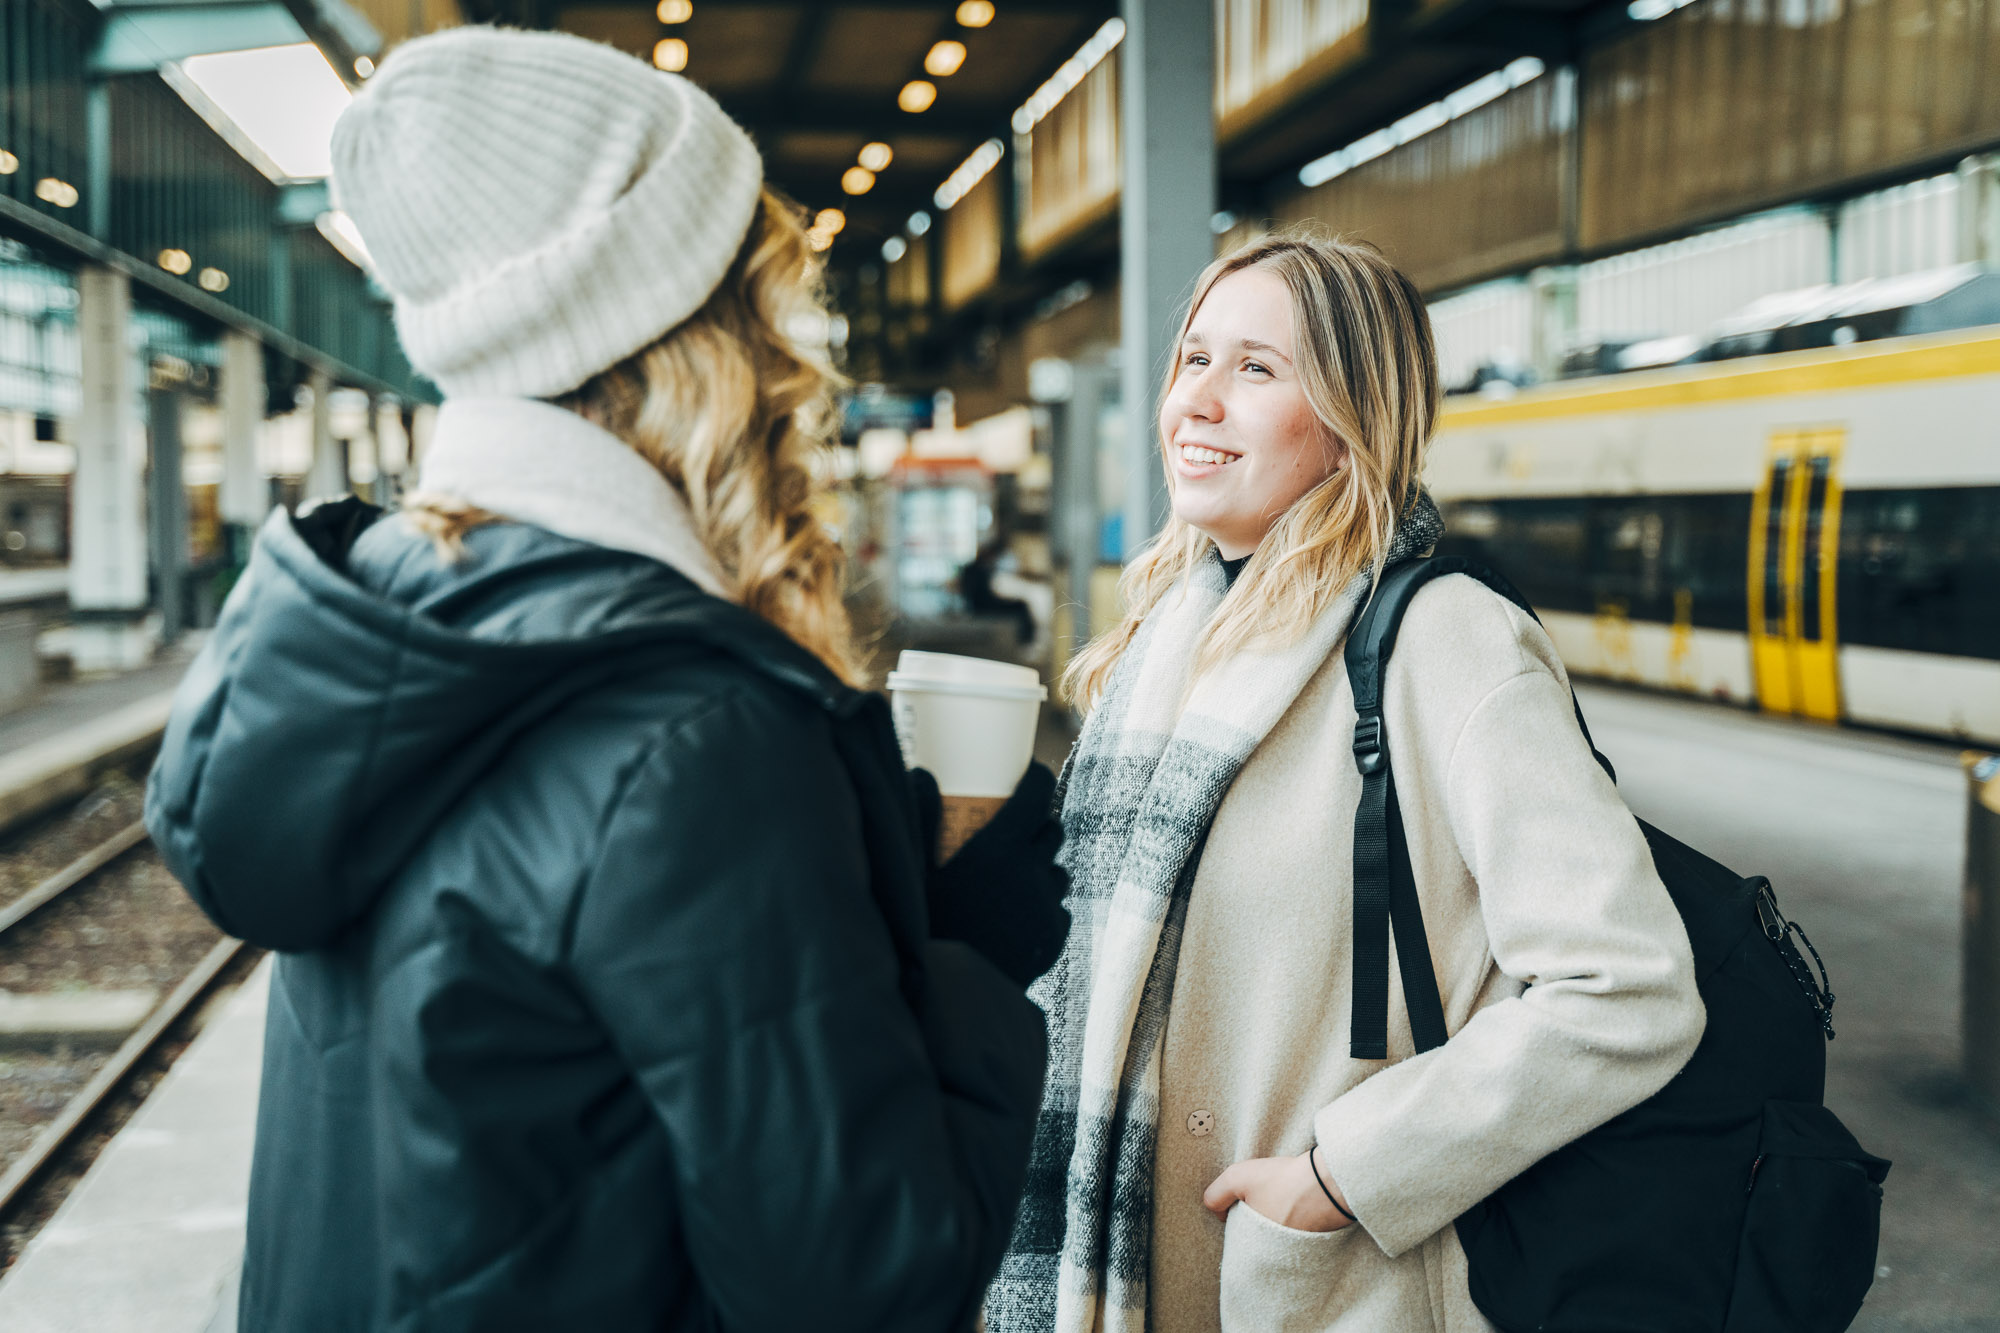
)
(607, 996)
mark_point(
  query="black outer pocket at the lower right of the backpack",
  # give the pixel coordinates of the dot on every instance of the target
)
(1809, 1242)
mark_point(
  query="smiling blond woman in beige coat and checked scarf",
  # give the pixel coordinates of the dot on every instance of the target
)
(1211, 1158)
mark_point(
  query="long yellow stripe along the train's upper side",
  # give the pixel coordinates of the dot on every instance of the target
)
(1815, 371)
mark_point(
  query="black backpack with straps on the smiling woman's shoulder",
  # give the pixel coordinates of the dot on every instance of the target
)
(1731, 1202)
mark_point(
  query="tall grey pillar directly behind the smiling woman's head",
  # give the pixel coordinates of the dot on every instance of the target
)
(1167, 131)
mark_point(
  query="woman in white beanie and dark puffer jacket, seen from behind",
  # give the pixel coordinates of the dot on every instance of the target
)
(617, 988)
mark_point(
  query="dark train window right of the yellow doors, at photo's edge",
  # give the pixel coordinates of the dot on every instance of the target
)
(1921, 569)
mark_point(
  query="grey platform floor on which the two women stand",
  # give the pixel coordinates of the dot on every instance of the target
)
(1861, 834)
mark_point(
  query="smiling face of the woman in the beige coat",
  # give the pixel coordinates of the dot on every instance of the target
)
(1241, 437)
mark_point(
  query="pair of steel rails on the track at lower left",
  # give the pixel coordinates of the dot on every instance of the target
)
(51, 1144)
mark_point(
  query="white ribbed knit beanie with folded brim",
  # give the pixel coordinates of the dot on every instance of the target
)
(541, 207)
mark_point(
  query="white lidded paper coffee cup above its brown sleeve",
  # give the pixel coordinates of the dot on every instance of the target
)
(967, 720)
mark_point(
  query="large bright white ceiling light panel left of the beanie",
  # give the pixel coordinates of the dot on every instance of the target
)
(285, 101)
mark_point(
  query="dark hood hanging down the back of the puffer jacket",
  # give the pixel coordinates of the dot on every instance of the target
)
(357, 688)
